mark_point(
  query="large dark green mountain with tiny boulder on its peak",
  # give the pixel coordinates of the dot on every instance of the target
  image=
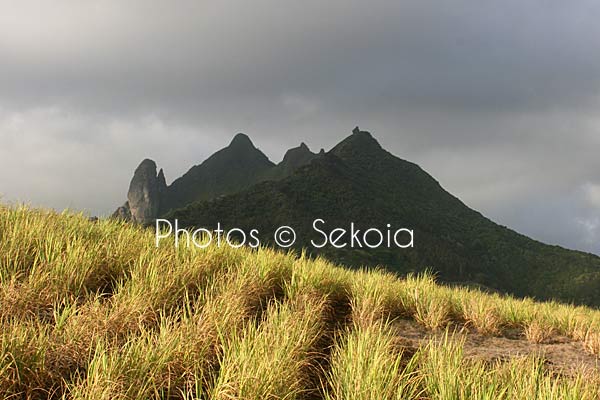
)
(358, 181)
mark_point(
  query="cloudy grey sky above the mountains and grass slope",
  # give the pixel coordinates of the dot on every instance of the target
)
(497, 100)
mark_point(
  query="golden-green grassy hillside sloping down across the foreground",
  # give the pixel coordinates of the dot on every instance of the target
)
(95, 311)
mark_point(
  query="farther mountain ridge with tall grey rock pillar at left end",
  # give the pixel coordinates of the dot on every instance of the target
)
(229, 170)
